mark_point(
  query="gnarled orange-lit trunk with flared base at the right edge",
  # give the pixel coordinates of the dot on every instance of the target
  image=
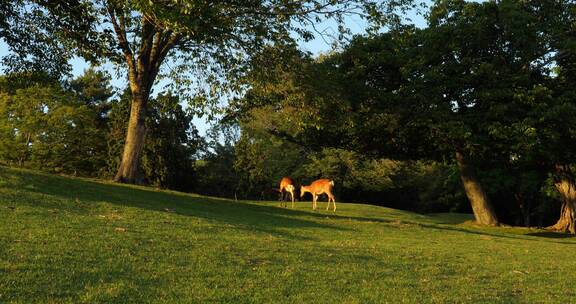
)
(567, 189)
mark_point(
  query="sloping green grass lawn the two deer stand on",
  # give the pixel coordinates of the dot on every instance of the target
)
(69, 240)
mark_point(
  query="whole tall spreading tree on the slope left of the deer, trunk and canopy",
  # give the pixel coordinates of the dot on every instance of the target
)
(212, 39)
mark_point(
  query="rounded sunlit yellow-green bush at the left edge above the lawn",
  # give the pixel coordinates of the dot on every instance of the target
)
(45, 127)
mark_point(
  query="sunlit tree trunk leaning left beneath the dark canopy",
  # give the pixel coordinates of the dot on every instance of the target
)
(483, 211)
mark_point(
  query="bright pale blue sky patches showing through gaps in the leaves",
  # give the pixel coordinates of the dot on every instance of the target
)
(316, 46)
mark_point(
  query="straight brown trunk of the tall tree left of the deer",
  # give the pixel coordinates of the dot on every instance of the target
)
(135, 137)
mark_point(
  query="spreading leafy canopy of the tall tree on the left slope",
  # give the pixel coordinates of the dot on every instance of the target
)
(208, 44)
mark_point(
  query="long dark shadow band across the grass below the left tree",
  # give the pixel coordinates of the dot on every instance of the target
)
(77, 192)
